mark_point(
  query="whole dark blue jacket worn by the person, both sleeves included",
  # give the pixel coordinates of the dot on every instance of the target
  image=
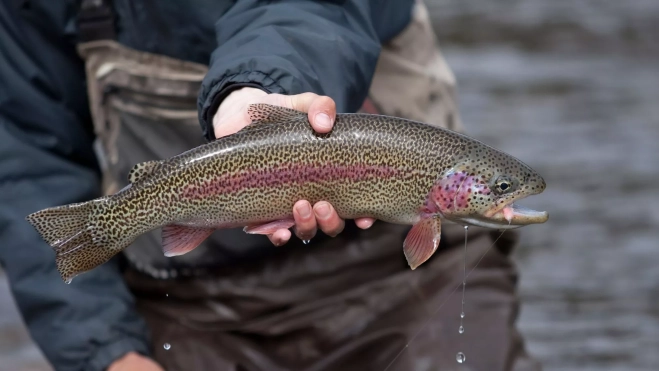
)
(46, 158)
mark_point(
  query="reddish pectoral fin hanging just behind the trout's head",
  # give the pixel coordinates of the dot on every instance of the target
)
(422, 241)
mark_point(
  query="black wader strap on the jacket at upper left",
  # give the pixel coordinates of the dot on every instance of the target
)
(96, 21)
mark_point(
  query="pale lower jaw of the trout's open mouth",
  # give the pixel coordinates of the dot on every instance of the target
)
(509, 217)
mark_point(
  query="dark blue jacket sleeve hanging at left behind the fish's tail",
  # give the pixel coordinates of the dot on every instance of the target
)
(46, 160)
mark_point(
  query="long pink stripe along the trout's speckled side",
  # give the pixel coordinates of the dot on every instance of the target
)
(287, 174)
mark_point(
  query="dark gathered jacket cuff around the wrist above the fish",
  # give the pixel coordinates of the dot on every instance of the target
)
(222, 88)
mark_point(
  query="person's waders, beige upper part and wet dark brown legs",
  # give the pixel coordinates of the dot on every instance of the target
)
(344, 303)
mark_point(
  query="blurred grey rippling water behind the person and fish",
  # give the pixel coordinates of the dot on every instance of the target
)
(572, 88)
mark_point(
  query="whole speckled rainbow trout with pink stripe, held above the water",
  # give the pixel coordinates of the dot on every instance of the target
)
(388, 168)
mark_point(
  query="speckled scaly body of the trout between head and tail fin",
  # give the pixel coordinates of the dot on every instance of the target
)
(252, 176)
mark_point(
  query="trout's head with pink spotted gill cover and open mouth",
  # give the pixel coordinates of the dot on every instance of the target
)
(482, 187)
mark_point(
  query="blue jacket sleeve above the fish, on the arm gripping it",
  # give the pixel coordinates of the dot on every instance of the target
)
(291, 47)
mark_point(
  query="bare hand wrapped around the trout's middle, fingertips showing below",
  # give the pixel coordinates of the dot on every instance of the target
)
(232, 116)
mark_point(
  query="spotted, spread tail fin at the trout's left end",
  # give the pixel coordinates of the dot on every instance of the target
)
(70, 231)
